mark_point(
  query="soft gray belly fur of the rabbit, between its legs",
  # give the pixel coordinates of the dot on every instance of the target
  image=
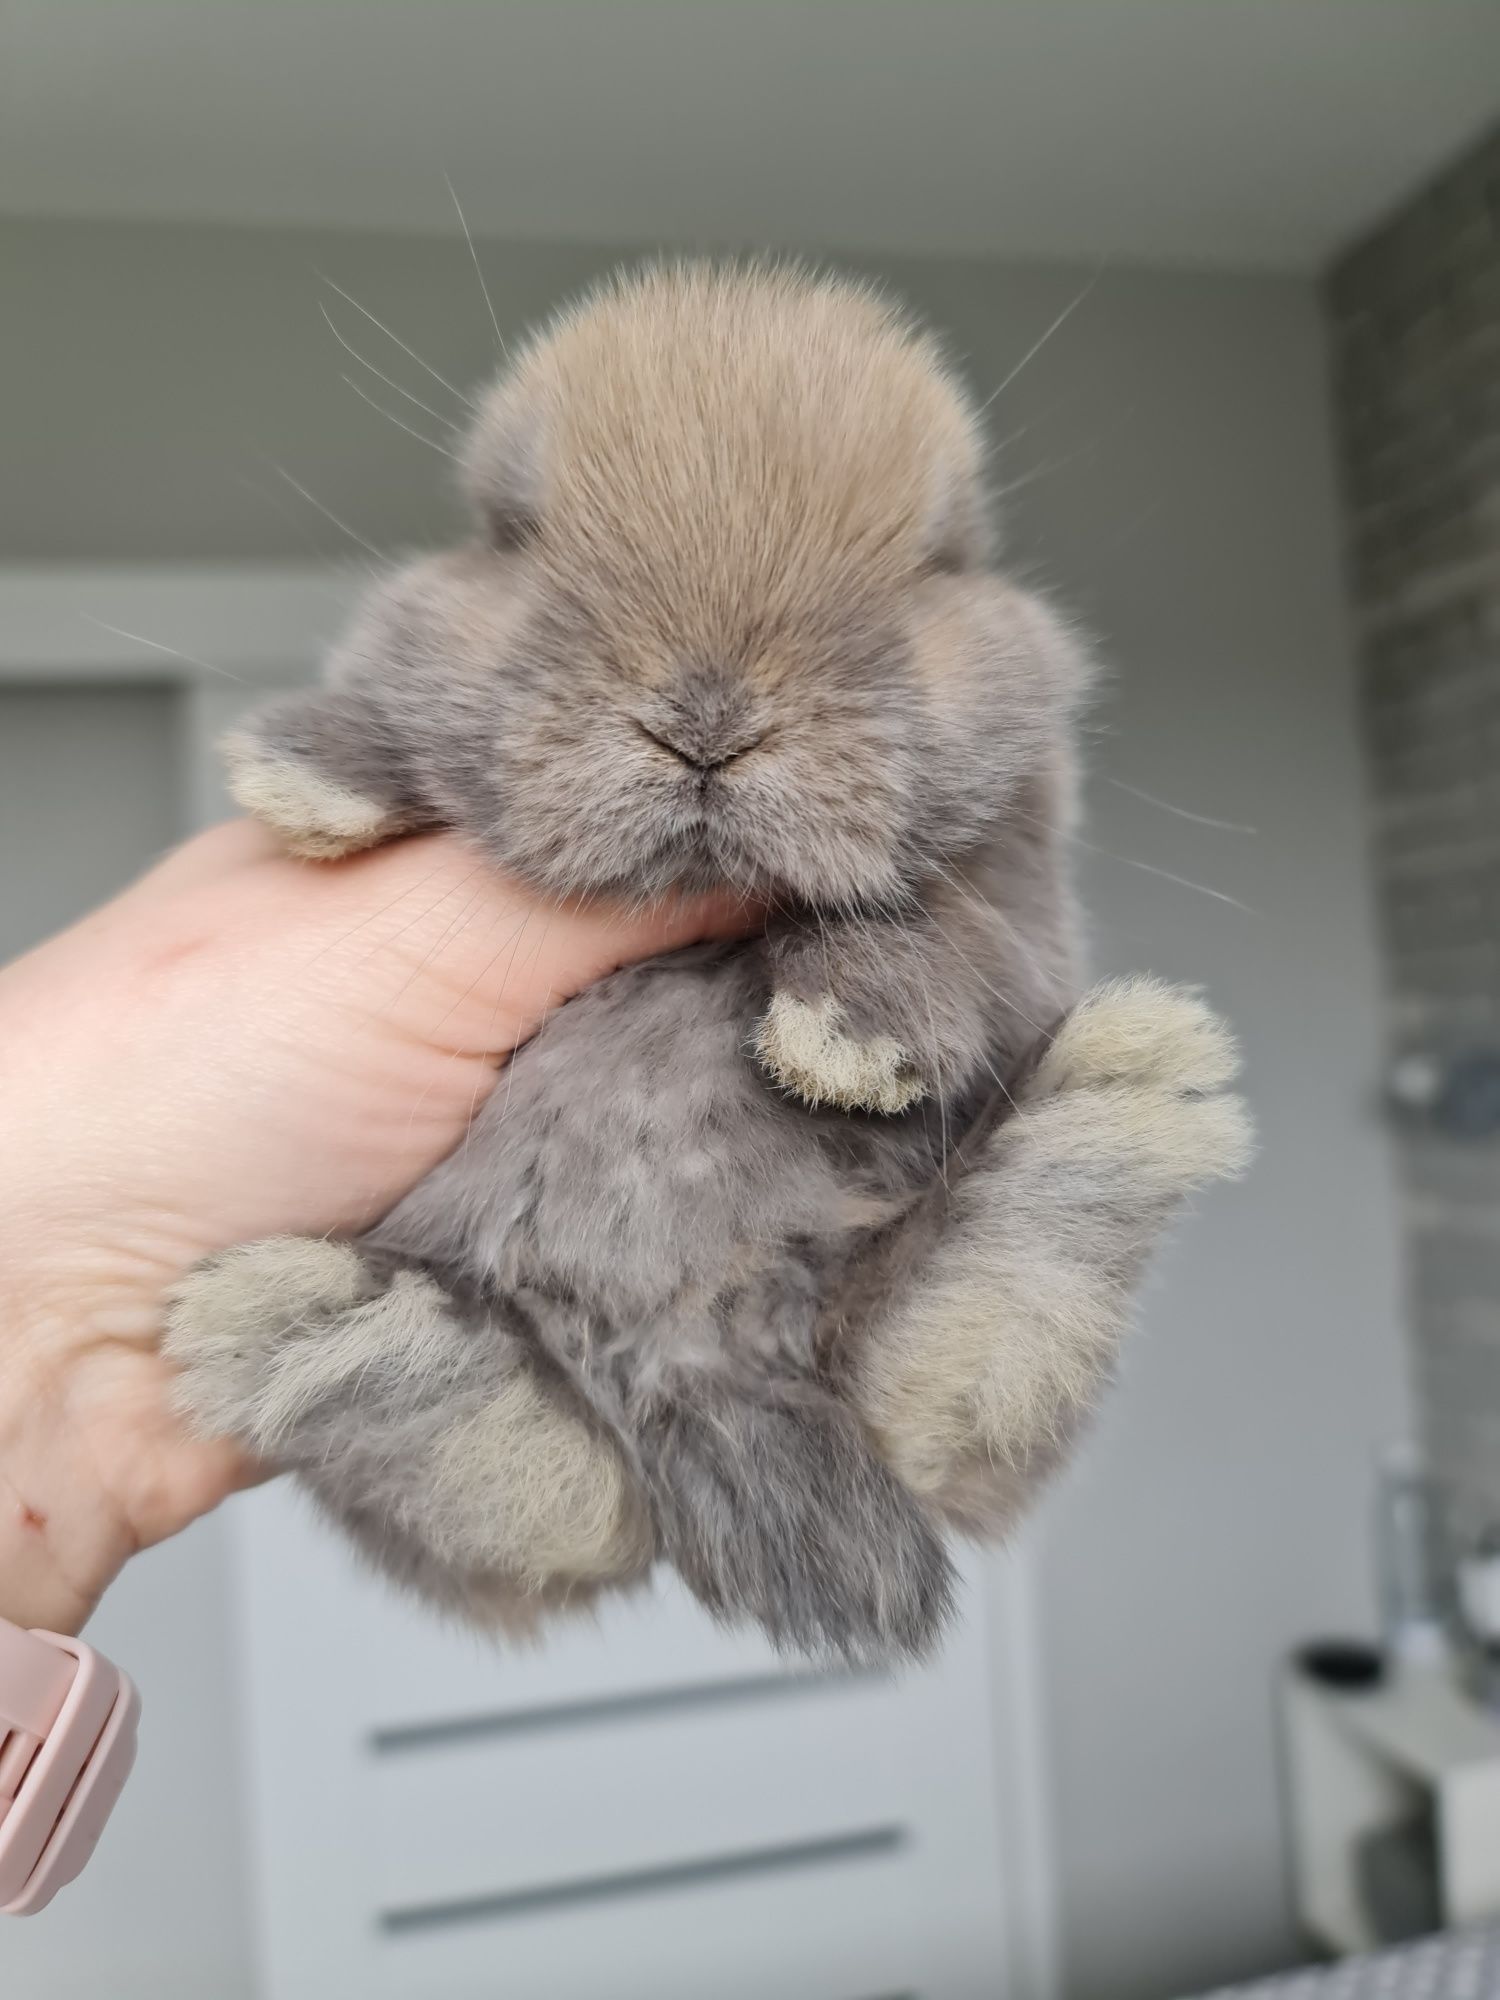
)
(639, 1191)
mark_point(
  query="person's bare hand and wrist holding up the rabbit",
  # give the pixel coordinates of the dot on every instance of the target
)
(237, 1047)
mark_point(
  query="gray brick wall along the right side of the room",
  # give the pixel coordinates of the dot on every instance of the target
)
(1415, 315)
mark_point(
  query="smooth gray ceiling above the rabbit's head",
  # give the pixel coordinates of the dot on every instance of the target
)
(1245, 133)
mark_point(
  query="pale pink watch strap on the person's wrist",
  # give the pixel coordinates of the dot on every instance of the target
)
(67, 1745)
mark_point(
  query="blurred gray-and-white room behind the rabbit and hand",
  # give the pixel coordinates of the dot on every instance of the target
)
(1229, 283)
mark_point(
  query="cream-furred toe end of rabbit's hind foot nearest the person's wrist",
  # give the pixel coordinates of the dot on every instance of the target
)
(231, 1319)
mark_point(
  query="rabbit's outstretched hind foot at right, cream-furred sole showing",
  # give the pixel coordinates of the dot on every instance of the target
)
(979, 1379)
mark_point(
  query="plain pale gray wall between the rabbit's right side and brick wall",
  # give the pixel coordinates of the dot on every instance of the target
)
(1223, 1509)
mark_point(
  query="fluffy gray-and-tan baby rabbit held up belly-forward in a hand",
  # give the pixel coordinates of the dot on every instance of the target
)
(771, 1257)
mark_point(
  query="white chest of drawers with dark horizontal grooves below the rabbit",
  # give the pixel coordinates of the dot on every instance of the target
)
(641, 1809)
